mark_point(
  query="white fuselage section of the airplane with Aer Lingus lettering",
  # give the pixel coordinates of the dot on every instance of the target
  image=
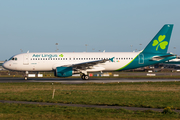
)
(49, 61)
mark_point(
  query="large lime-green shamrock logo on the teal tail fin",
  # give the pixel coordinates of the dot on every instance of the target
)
(160, 42)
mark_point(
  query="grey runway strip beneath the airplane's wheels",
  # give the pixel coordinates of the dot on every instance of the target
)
(80, 81)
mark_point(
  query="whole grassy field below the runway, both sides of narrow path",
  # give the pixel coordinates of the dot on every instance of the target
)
(156, 95)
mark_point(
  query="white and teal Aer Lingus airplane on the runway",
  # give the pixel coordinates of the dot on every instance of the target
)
(65, 64)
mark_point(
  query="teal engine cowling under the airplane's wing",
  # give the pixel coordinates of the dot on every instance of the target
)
(63, 72)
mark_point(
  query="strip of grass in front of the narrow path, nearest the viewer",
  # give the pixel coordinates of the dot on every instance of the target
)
(36, 112)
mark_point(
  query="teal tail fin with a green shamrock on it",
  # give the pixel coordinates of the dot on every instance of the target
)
(160, 43)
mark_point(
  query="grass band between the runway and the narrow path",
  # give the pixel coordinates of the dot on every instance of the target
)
(151, 95)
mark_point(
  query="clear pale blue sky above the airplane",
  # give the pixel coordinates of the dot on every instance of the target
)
(110, 25)
